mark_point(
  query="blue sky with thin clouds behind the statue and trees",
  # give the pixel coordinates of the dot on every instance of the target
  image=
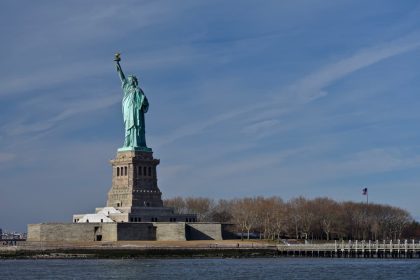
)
(287, 98)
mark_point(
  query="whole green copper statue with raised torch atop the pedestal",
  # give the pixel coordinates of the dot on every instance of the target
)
(134, 106)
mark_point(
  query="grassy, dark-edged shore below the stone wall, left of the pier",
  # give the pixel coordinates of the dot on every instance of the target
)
(138, 250)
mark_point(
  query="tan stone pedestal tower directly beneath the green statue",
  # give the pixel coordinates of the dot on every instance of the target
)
(135, 192)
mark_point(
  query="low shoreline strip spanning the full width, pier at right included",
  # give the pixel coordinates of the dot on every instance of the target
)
(204, 249)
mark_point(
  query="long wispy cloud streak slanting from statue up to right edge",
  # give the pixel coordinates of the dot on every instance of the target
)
(307, 89)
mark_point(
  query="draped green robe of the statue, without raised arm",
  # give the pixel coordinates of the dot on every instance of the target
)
(134, 105)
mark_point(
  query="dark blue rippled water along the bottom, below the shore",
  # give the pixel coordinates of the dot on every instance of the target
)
(275, 268)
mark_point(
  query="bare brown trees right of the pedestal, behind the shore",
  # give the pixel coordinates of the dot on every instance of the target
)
(302, 218)
